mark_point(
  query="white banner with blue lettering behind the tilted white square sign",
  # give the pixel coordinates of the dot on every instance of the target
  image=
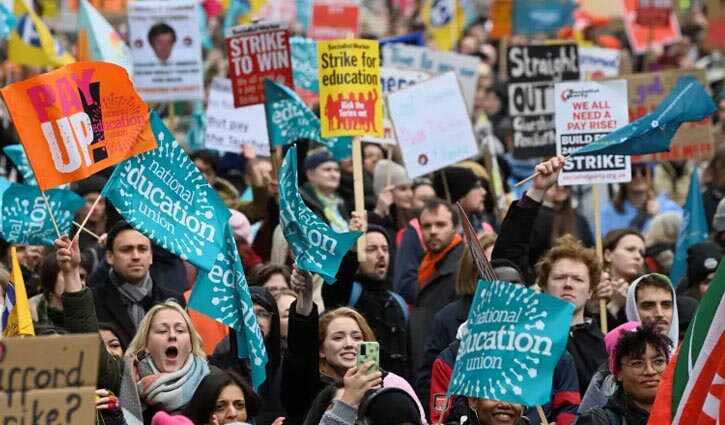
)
(436, 62)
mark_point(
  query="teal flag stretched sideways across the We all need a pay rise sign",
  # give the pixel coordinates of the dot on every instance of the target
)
(653, 133)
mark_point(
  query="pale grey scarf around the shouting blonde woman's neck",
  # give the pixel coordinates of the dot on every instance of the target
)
(168, 391)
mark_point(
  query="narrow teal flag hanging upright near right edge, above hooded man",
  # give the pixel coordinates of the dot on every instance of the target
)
(694, 228)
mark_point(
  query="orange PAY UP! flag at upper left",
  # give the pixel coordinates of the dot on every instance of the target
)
(78, 120)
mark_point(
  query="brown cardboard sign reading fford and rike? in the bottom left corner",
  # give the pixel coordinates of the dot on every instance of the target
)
(49, 379)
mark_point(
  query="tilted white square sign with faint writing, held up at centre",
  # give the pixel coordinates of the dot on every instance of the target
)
(432, 125)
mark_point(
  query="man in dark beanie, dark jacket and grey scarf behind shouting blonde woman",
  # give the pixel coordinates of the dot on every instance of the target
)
(129, 291)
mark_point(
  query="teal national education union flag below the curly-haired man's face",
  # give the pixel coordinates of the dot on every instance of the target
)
(514, 339)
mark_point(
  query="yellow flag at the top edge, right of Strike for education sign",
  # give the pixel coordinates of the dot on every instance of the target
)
(445, 21)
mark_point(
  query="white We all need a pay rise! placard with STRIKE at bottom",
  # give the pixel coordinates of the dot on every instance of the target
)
(585, 112)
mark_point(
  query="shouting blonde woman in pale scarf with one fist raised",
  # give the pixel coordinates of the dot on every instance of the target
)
(164, 362)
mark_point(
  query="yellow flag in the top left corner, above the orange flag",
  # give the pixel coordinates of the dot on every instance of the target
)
(31, 43)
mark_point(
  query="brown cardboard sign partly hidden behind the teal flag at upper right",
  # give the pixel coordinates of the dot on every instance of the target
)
(693, 141)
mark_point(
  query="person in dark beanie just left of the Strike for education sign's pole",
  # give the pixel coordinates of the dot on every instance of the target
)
(320, 191)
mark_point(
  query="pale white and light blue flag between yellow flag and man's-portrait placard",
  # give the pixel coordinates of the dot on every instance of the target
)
(104, 42)
